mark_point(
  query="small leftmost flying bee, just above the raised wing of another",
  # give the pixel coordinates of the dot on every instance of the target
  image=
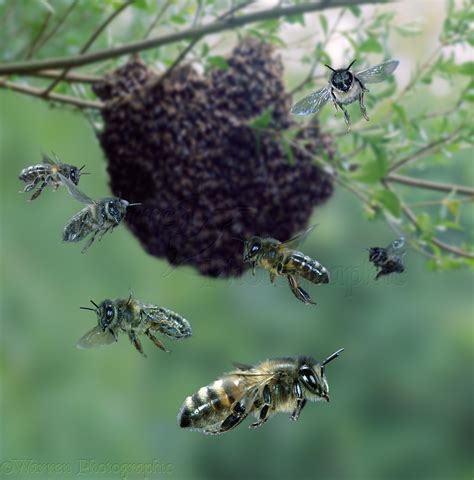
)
(48, 173)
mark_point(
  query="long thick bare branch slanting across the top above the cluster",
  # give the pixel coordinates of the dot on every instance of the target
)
(190, 33)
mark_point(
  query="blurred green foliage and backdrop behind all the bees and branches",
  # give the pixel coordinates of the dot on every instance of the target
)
(401, 394)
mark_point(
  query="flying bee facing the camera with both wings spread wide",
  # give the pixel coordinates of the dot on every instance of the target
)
(345, 87)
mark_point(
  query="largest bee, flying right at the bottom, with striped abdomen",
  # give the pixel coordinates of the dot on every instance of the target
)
(272, 386)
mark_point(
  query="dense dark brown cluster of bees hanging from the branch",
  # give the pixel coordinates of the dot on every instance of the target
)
(184, 148)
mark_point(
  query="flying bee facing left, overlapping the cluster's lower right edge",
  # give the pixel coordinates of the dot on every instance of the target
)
(280, 259)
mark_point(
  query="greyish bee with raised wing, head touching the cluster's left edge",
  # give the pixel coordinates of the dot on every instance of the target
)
(96, 219)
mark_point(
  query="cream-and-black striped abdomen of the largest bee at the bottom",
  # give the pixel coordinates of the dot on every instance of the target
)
(211, 405)
